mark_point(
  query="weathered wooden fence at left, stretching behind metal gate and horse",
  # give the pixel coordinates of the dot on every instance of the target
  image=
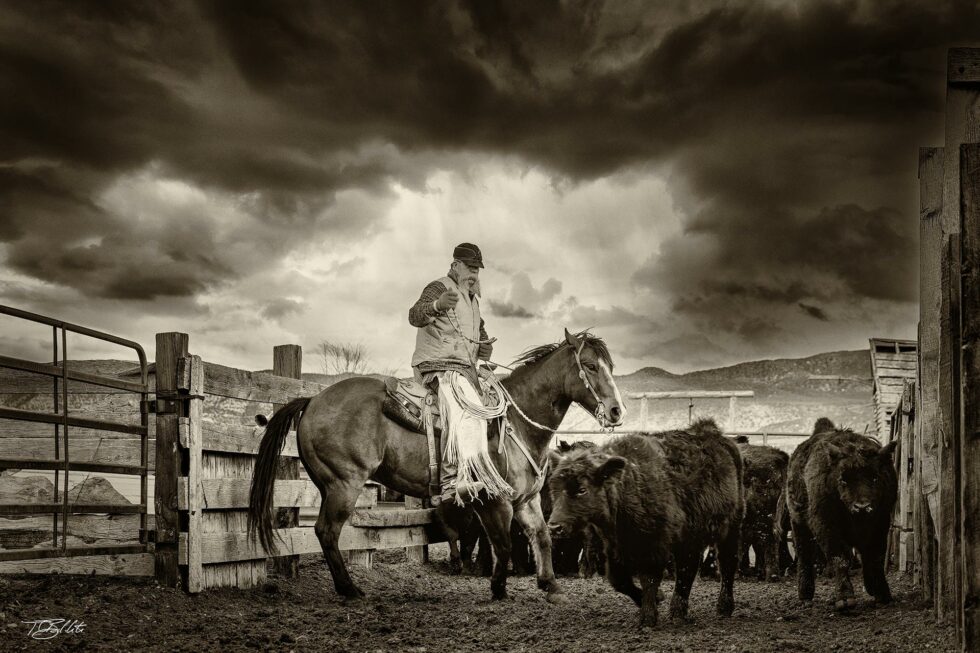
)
(198, 453)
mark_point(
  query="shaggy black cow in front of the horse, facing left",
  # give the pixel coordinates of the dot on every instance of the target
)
(653, 498)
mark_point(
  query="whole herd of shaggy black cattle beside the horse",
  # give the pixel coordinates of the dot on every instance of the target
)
(648, 504)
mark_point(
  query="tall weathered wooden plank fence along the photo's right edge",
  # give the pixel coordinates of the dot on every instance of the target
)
(942, 490)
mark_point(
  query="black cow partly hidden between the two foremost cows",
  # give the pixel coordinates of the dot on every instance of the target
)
(764, 478)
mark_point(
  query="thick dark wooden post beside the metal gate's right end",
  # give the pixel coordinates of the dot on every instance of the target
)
(171, 347)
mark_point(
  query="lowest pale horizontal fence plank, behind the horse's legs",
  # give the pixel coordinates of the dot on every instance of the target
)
(230, 547)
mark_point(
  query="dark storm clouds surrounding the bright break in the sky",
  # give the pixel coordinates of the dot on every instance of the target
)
(788, 130)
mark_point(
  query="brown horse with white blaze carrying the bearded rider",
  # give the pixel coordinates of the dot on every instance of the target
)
(344, 440)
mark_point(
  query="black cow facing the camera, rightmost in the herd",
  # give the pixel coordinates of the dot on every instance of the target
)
(840, 494)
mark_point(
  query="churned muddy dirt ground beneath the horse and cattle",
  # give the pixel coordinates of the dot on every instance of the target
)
(421, 608)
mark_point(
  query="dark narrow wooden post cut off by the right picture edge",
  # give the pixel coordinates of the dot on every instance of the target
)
(970, 389)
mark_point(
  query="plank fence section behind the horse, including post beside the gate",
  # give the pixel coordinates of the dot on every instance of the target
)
(201, 532)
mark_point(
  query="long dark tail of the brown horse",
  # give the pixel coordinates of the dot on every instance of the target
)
(264, 478)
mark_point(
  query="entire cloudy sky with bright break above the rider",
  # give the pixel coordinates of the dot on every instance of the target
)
(701, 183)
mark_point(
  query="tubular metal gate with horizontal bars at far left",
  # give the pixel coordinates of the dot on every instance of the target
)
(60, 462)
